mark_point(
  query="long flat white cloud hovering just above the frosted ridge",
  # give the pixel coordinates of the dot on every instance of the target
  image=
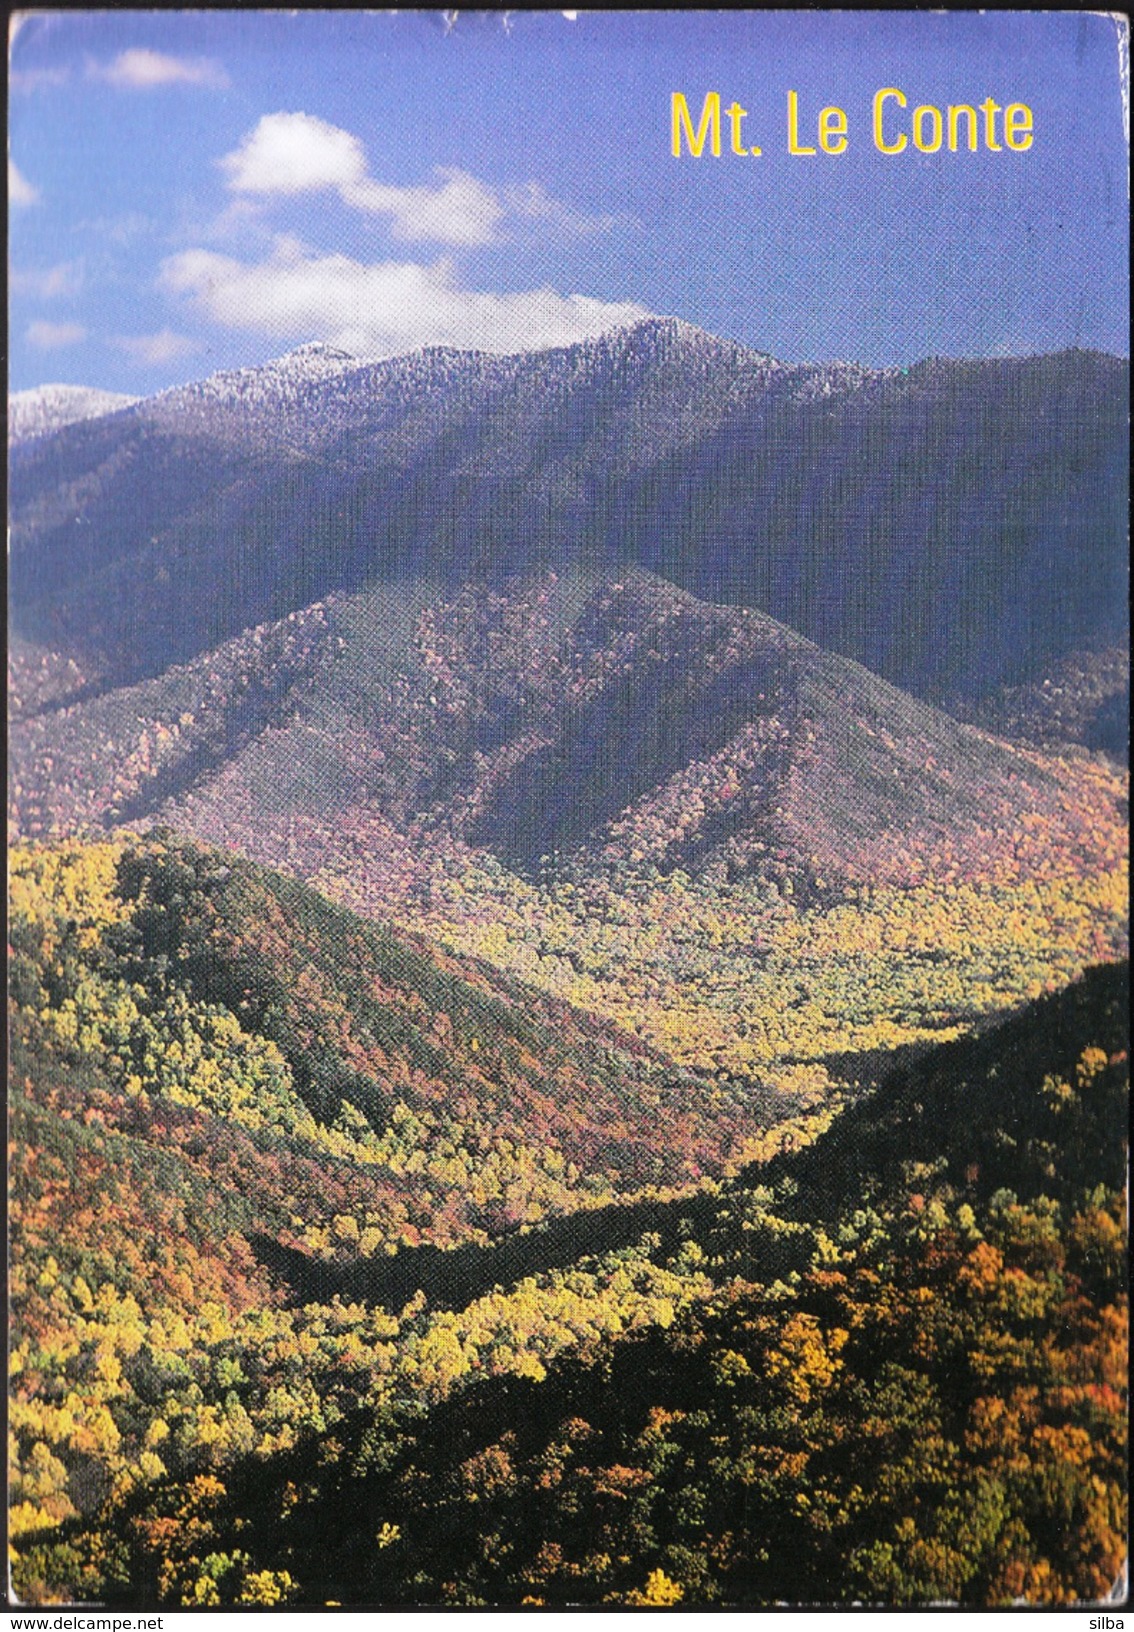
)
(381, 309)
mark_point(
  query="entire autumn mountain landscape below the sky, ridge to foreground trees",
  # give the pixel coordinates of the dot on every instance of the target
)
(569, 982)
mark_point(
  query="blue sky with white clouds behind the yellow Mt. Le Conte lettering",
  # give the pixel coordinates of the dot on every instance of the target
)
(206, 190)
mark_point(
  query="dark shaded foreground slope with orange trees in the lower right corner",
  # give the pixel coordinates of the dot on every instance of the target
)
(857, 1432)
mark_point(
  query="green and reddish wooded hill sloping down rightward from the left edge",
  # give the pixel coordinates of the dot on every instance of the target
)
(466, 1102)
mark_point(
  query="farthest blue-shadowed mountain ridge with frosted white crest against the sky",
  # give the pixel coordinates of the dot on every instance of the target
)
(862, 508)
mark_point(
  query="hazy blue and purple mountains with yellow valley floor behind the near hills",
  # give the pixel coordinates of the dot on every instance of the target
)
(383, 628)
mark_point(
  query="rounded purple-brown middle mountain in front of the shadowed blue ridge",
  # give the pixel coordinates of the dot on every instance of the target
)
(691, 737)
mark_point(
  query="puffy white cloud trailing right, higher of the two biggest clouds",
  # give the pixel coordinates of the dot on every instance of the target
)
(295, 153)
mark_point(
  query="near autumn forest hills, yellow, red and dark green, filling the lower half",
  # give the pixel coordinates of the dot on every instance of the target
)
(321, 1297)
